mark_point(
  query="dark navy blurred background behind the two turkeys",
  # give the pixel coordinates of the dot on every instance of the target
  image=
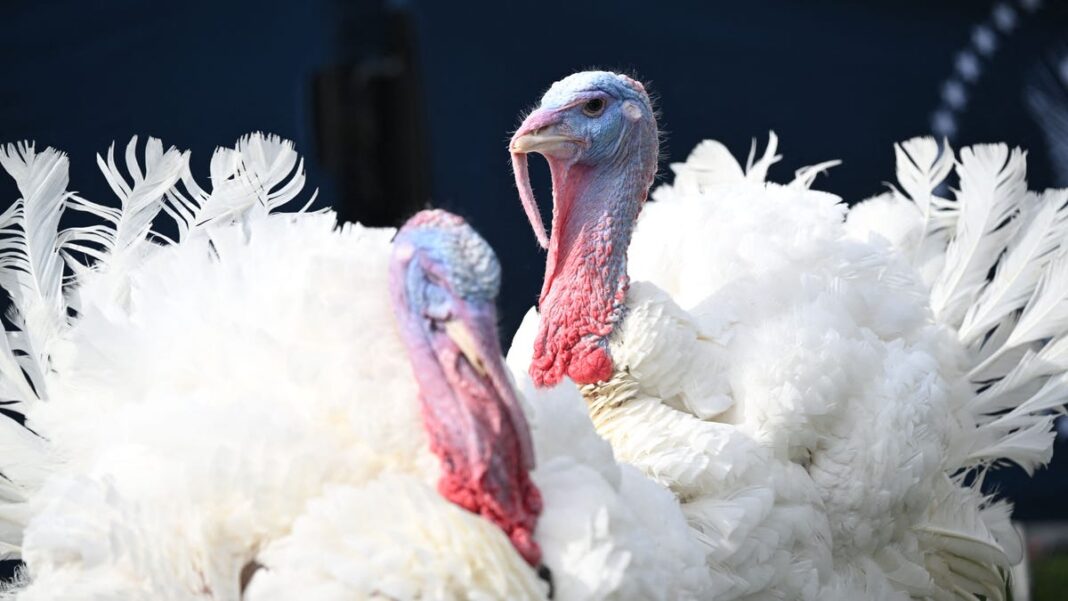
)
(400, 103)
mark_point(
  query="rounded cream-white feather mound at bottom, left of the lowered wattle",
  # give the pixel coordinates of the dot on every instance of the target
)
(395, 539)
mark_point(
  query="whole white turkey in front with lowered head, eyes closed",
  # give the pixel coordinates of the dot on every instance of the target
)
(273, 407)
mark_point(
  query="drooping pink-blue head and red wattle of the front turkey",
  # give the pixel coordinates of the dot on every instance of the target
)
(445, 280)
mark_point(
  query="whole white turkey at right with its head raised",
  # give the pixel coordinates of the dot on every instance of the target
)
(823, 389)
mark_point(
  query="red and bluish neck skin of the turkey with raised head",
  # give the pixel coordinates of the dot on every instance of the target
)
(586, 280)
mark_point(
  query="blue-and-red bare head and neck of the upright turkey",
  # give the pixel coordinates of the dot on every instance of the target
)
(599, 133)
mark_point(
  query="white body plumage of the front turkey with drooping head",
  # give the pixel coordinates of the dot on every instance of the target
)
(247, 417)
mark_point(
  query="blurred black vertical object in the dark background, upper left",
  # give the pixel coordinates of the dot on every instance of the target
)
(370, 117)
